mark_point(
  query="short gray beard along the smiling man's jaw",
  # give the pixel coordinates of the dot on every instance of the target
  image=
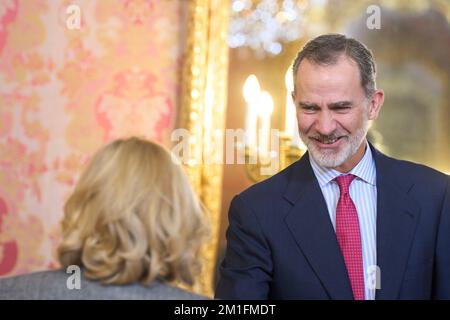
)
(330, 159)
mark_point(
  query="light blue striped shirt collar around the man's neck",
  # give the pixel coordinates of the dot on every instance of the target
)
(364, 170)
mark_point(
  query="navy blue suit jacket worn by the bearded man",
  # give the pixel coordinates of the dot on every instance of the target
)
(281, 243)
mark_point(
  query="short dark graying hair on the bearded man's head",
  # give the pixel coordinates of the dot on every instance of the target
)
(326, 50)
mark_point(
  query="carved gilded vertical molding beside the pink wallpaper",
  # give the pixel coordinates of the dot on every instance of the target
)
(202, 113)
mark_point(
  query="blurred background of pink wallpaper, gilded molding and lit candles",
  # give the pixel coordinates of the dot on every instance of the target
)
(77, 74)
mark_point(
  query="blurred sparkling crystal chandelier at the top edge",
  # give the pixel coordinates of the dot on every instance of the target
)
(264, 25)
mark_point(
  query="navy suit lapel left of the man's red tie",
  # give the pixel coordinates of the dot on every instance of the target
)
(311, 227)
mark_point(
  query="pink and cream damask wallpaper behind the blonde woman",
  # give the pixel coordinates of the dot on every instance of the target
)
(66, 89)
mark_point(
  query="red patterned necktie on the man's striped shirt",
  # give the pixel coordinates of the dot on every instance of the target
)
(348, 236)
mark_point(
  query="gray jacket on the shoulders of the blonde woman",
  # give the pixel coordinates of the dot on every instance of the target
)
(52, 285)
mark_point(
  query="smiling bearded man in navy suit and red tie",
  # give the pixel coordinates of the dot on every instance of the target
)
(345, 221)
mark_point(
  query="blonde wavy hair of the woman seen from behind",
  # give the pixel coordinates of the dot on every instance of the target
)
(133, 217)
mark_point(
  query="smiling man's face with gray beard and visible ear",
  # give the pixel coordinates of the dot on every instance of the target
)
(334, 109)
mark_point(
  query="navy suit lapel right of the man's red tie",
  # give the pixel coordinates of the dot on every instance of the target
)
(397, 217)
